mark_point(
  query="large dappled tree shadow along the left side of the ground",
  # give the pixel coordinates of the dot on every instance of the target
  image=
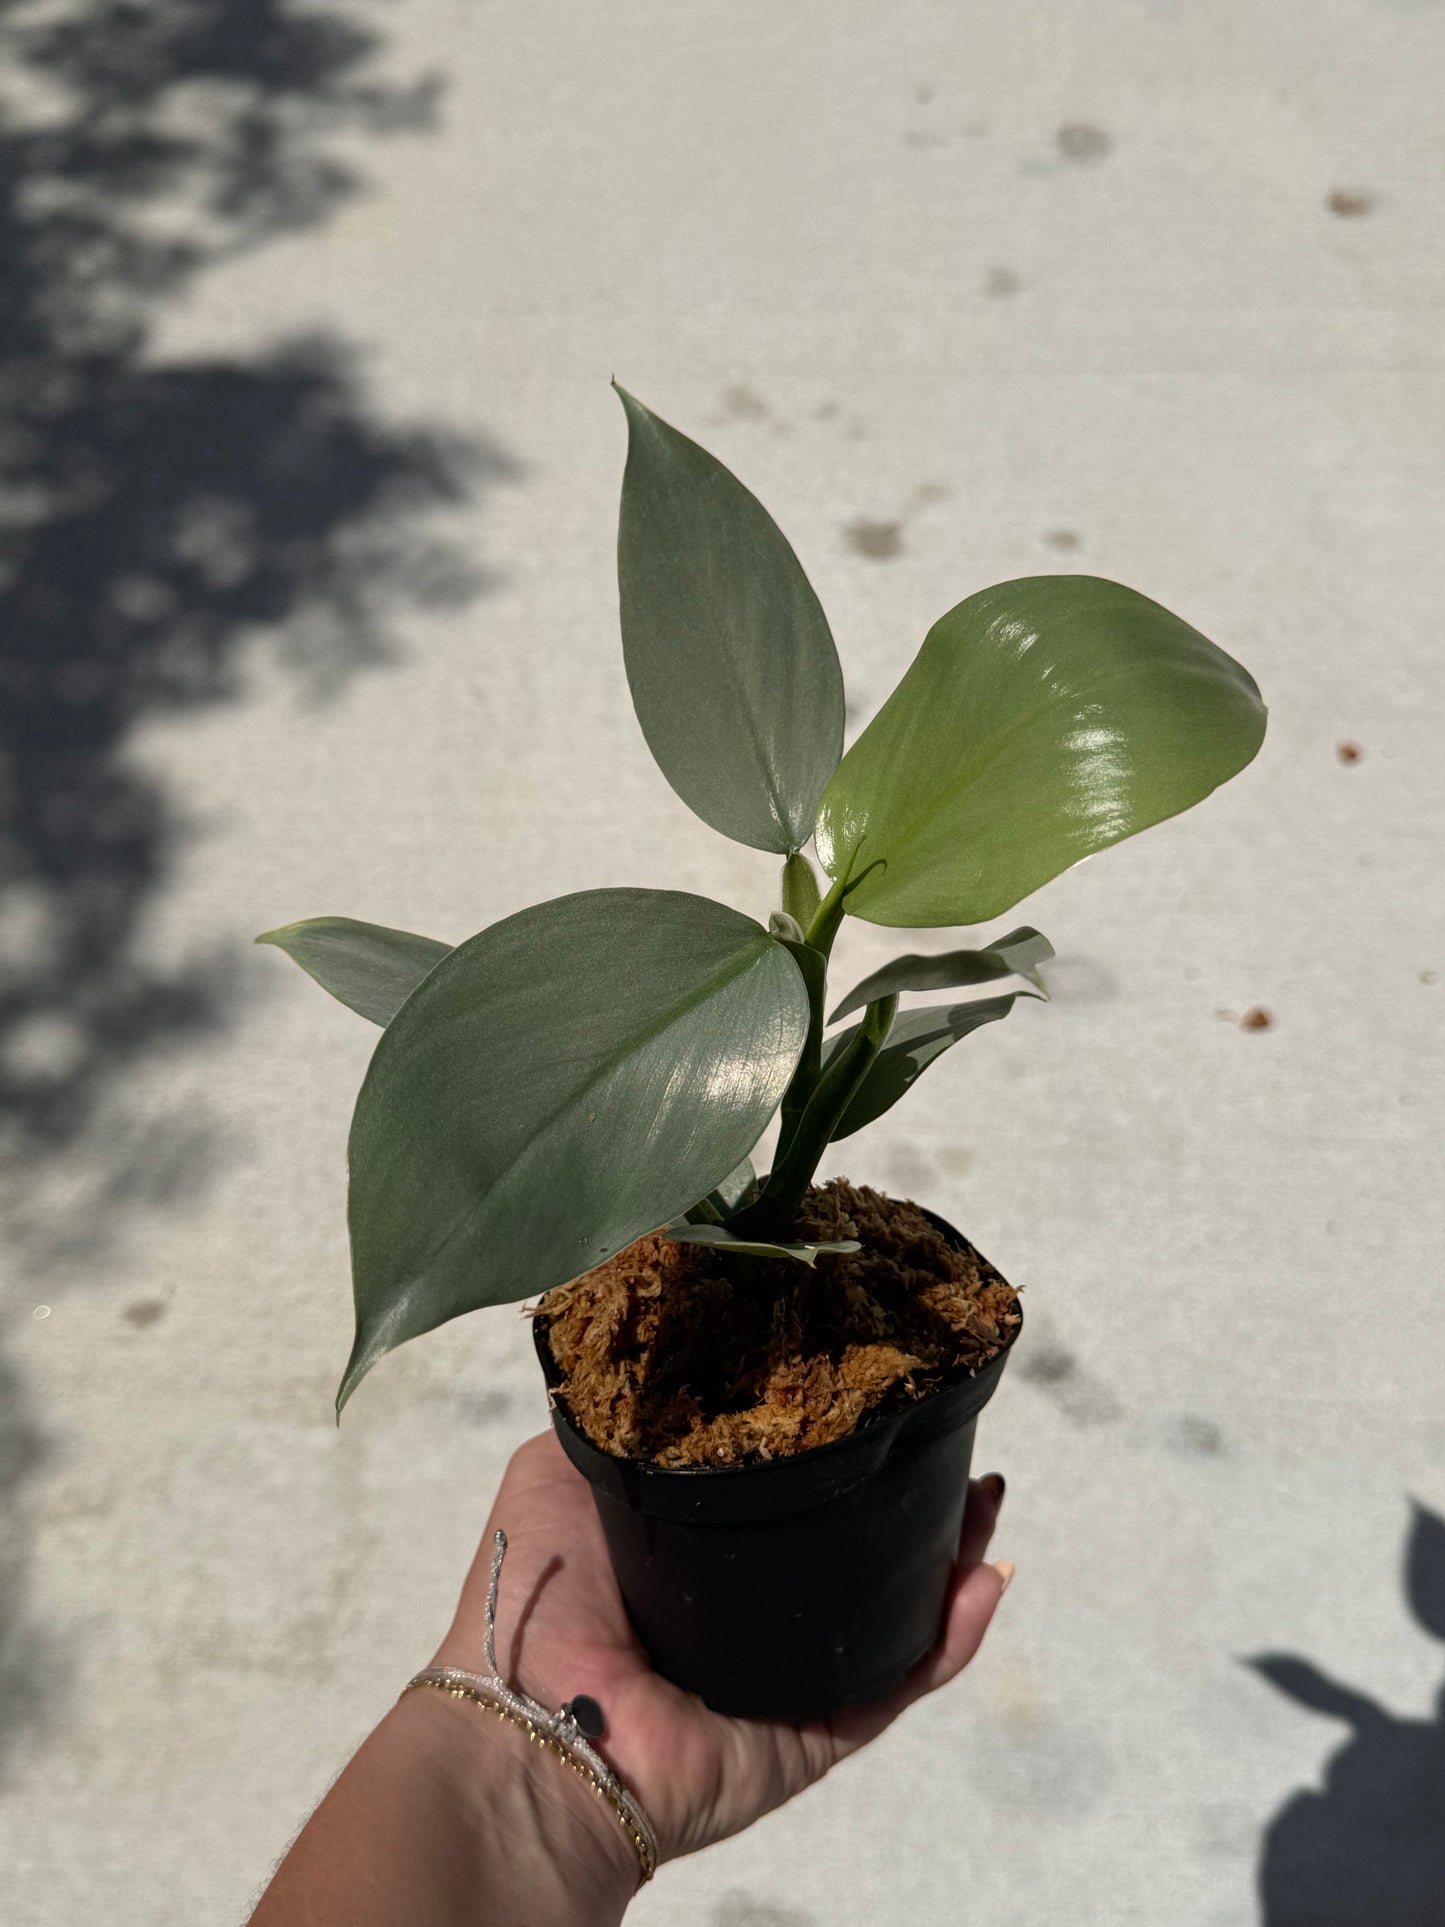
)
(161, 521)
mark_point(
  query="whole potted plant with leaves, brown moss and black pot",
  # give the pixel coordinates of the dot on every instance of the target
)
(770, 1385)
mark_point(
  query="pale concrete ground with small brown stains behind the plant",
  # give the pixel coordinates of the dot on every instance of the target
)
(313, 477)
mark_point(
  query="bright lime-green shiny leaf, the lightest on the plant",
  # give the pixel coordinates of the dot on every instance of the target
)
(1041, 722)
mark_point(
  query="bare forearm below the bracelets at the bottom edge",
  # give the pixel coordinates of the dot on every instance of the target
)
(452, 1818)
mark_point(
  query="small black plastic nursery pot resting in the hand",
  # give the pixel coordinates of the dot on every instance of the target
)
(795, 1587)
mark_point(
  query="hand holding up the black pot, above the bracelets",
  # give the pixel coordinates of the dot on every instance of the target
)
(564, 1631)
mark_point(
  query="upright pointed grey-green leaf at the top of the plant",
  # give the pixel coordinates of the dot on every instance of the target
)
(729, 654)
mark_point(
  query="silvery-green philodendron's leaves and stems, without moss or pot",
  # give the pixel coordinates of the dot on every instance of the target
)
(602, 1067)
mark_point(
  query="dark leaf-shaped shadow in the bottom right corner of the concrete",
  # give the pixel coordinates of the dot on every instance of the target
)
(1373, 1845)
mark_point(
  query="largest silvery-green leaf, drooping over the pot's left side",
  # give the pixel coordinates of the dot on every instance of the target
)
(562, 1084)
